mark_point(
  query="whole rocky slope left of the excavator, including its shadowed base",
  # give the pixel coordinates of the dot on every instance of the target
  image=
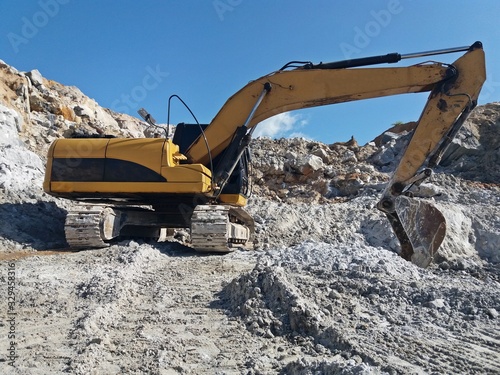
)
(35, 111)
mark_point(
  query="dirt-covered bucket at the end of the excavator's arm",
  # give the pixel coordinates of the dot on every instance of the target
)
(420, 228)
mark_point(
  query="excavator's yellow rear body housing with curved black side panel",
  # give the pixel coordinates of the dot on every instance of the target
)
(90, 167)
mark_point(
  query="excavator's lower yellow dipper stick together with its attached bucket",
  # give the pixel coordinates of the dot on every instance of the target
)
(419, 226)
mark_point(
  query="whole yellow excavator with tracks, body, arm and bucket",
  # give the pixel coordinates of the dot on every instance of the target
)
(199, 179)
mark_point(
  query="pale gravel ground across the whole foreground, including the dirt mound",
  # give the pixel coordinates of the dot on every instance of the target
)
(308, 309)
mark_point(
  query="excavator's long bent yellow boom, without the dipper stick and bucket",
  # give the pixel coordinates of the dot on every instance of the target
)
(317, 86)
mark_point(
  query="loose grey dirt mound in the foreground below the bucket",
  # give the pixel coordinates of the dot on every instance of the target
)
(371, 307)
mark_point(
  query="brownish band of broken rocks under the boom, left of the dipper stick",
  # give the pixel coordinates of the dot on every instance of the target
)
(297, 170)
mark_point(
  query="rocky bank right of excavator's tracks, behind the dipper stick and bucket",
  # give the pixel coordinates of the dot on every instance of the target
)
(328, 192)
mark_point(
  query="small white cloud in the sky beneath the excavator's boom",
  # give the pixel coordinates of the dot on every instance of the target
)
(282, 125)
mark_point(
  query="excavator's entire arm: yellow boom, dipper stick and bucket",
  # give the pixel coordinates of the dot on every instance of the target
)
(454, 89)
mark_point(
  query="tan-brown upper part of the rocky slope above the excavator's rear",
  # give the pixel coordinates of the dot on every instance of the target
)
(48, 110)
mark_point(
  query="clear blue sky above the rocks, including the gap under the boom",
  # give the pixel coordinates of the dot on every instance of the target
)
(130, 54)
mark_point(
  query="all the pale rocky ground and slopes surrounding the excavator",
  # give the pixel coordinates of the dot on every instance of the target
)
(324, 293)
